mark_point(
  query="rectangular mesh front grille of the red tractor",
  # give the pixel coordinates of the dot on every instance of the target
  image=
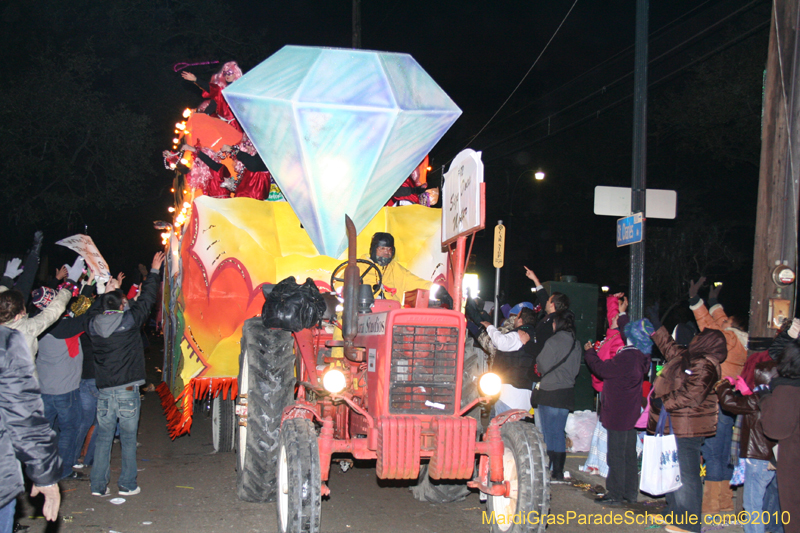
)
(423, 372)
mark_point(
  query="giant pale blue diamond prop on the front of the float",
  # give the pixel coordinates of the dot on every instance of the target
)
(340, 130)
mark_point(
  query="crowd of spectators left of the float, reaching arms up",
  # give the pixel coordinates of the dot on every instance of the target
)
(71, 363)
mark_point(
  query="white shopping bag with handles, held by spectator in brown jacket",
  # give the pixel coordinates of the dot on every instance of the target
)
(661, 472)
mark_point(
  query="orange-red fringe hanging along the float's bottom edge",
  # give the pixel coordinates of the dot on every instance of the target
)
(179, 420)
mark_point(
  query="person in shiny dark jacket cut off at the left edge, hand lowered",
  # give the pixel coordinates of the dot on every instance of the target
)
(25, 434)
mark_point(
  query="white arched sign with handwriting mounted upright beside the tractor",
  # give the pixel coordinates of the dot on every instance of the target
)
(461, 196)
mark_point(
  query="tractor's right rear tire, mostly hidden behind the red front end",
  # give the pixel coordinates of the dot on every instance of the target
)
(431, 491)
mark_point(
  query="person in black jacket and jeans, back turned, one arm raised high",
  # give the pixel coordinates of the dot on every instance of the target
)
(119, 371)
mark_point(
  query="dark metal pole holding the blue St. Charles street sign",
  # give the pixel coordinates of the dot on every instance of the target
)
(639, 174)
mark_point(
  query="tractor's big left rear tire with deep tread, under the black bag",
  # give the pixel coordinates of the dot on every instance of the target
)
(266, 387)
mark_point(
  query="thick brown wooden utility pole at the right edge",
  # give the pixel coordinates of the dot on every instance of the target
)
(774, 290)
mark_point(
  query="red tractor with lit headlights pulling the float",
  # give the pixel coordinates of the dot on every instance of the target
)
(405, 390)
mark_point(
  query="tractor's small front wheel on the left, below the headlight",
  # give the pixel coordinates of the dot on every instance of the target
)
(299, 478)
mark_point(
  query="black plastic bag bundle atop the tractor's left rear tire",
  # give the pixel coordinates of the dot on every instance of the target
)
(292, 307)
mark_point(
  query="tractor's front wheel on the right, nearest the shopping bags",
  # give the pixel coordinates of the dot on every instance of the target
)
(525, 467)
